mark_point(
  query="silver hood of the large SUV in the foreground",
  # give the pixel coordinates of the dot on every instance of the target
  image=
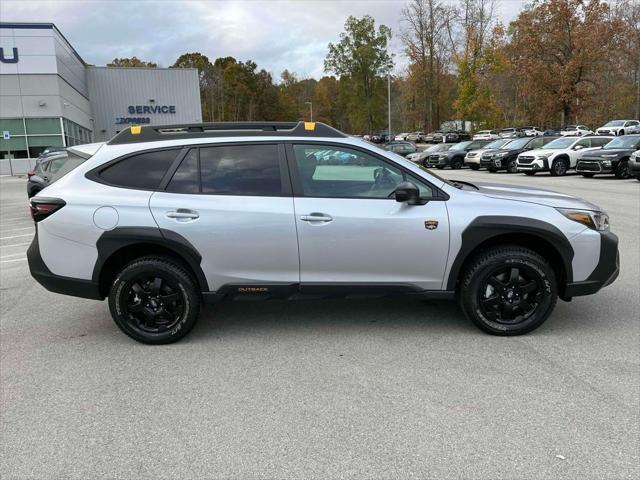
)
(534, 195)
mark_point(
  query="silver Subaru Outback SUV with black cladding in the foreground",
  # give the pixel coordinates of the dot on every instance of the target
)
(161, 219)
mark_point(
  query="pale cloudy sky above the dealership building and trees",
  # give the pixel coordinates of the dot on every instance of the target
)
(290, 34)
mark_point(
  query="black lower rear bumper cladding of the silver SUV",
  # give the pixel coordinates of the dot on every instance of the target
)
(57, 283)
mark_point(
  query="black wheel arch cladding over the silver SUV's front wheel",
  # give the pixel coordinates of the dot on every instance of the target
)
(485, 228)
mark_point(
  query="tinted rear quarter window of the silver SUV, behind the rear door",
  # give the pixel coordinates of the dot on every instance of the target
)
(142, 171)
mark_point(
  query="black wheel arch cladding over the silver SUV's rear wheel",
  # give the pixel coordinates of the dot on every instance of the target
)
(112, 241)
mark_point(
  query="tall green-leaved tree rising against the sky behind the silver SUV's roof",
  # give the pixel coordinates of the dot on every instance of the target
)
(361, 57)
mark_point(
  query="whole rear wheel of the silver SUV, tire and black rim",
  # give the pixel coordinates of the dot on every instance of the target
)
(174, 300)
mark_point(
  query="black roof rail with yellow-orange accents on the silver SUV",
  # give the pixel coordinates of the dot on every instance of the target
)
(151, 133)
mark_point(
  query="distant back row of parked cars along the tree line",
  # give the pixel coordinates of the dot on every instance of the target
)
(614, 127)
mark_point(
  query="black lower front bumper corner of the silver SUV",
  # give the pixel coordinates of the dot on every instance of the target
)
(604, 274)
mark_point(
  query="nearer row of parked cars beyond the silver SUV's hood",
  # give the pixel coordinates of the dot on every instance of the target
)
(588, 155)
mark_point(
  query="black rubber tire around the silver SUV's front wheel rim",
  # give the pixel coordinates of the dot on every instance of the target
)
(470, 303)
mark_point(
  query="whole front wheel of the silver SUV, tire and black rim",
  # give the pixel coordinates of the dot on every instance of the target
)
(524, 295)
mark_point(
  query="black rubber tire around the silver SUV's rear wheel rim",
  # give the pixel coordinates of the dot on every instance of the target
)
(119, 291)
